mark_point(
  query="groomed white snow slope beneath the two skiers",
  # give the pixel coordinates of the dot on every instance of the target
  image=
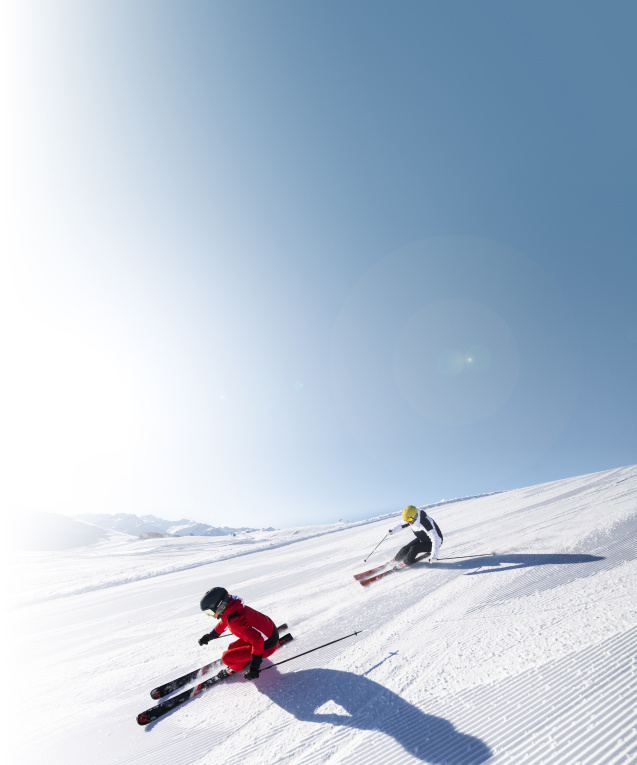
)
(527, 656)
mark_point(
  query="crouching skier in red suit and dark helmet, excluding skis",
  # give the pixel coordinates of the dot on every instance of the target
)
(257, 633)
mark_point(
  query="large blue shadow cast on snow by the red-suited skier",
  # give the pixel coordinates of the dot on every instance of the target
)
(370, 706)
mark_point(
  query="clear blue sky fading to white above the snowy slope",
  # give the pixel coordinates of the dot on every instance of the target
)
(279, 263)
